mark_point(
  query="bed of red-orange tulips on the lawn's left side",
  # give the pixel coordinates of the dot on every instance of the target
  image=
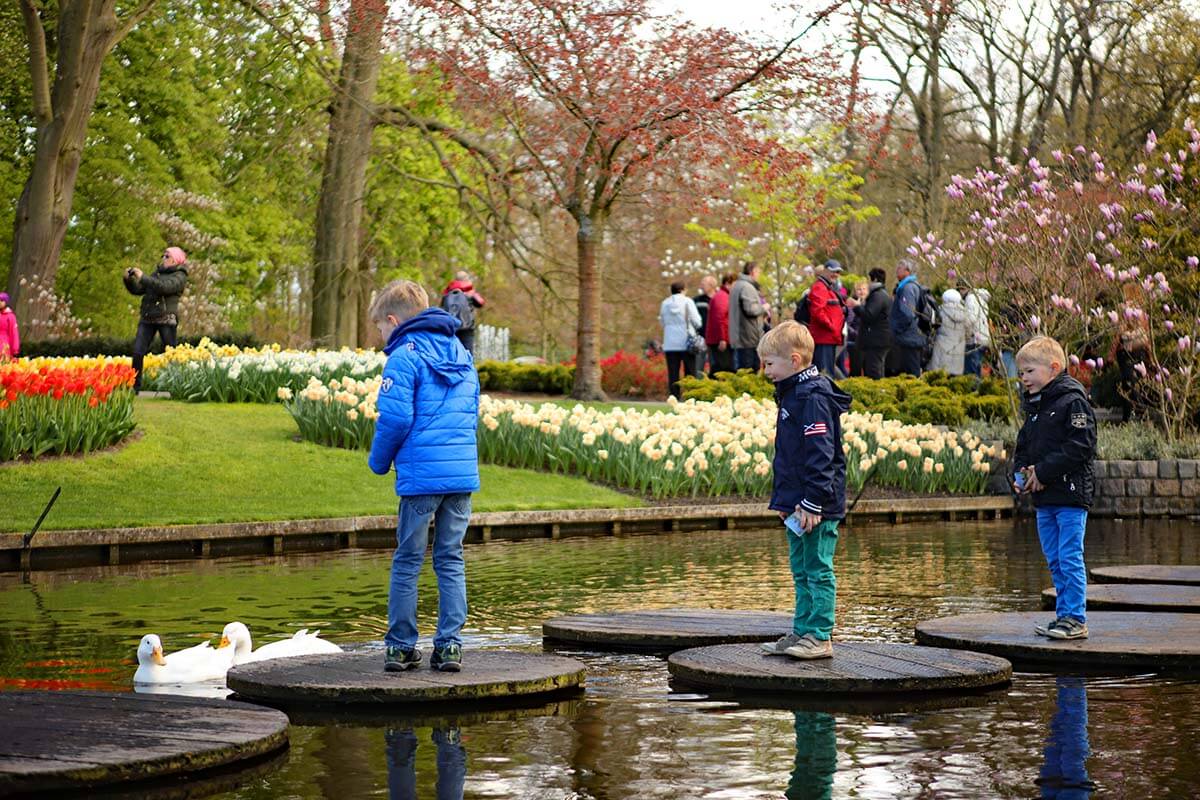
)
(64, 406)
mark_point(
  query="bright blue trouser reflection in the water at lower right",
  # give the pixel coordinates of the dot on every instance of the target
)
(1065, 760)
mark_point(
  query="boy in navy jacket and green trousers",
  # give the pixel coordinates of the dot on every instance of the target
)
(809, 484)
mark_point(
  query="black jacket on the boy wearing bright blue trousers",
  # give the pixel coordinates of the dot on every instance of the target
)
(1059, 441)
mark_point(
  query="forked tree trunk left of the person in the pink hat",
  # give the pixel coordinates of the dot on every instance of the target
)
(86, 34)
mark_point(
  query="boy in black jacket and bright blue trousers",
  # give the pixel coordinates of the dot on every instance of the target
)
(1054, 458)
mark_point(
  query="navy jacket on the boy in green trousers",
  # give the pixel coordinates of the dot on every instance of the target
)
(809, 467)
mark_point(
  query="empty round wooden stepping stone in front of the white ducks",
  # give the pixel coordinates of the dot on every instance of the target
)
(75, 742)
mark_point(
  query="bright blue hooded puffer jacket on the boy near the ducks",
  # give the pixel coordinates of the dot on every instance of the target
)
(429, 410)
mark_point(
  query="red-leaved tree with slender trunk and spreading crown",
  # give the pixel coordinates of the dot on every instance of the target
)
(575, 105)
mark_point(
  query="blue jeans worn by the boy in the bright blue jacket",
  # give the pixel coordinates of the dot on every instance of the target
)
(451, 515)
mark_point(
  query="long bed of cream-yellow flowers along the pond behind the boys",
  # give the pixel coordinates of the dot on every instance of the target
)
(717, 449)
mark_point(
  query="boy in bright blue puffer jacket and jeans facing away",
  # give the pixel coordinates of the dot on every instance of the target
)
(429, 406)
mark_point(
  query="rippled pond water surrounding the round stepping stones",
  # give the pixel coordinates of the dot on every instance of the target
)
(631, 735)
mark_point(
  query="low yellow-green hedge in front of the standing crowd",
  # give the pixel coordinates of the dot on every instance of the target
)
(933, 399)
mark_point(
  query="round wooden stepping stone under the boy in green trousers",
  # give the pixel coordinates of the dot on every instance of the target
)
(856, 669)
